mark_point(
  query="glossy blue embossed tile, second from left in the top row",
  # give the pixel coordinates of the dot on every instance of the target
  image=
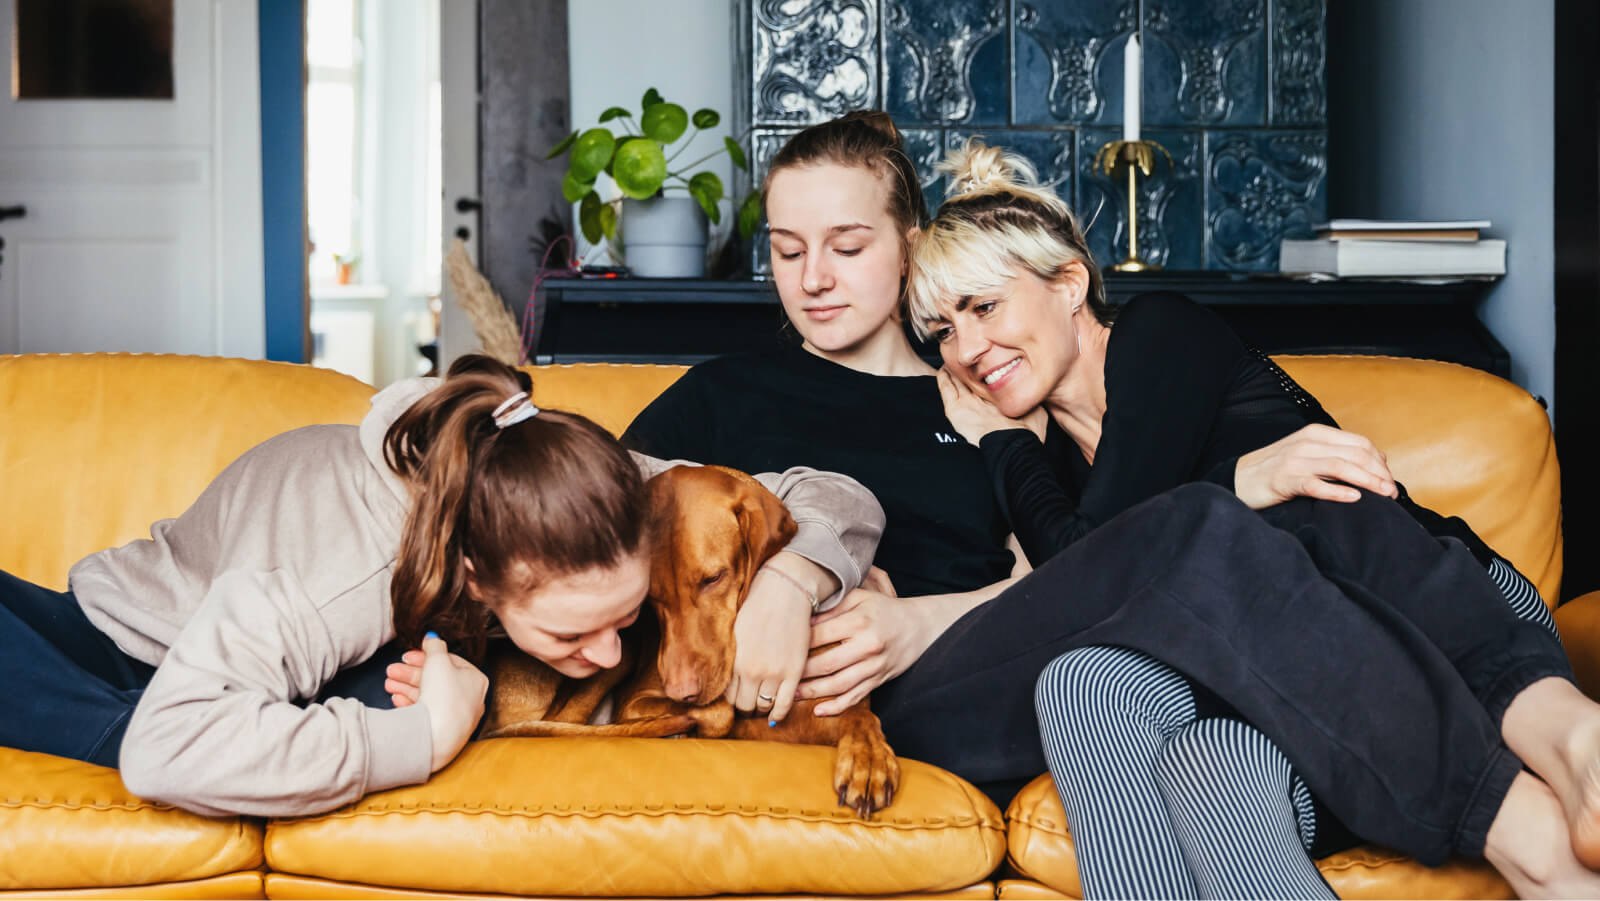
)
(946, 62)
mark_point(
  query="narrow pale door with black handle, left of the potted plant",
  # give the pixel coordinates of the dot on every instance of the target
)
(458, 89)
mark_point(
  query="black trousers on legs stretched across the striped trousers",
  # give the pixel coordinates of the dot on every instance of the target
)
(1378, 659)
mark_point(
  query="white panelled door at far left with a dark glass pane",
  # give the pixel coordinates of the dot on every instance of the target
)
(143, 218)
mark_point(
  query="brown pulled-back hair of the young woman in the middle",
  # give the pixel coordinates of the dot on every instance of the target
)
(863, 138)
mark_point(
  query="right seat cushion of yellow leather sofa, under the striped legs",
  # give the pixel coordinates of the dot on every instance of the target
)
(1041, 847)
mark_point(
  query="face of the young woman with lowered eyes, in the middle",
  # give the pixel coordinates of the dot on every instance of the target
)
(838, 255)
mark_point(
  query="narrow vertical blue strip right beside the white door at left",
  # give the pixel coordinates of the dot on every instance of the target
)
(284, 177)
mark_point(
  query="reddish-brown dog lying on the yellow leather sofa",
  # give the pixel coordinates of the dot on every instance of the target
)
(714, 529)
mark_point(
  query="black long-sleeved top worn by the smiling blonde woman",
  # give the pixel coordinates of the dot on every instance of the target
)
(1185, 399)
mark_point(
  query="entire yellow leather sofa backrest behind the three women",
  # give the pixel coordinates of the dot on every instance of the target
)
(97, 447)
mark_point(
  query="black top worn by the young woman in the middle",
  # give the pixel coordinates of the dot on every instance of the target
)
(772, 410)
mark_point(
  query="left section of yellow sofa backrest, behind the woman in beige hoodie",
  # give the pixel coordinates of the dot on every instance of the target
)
(97, 447)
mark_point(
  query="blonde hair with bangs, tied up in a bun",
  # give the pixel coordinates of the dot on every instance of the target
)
(996, 220)
